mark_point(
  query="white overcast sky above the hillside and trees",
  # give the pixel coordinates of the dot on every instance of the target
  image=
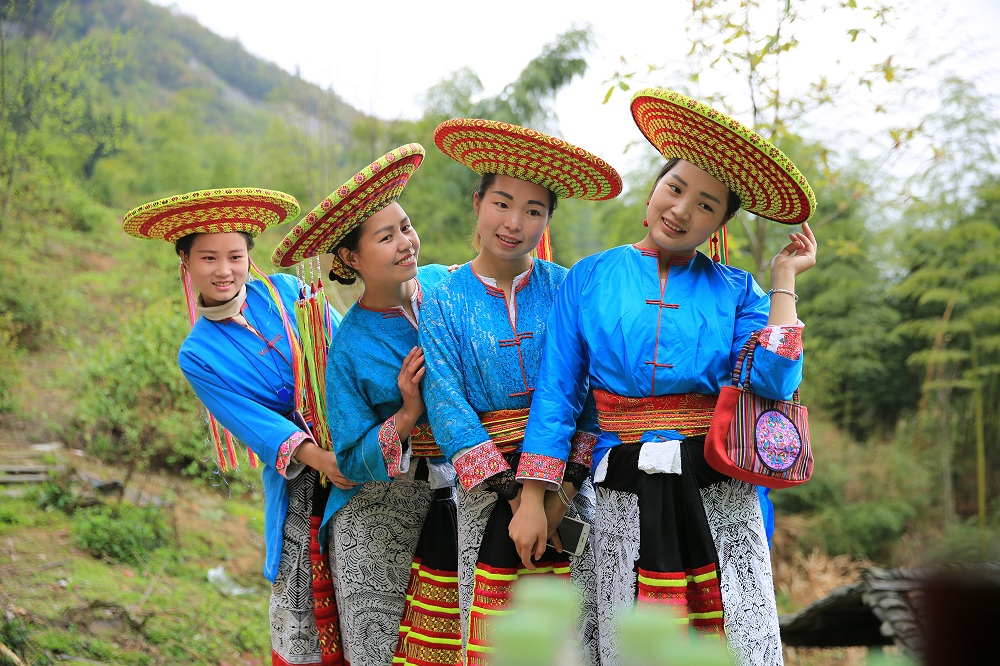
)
(381, 56)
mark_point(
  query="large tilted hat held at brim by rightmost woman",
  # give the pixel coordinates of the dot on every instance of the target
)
(766, 181)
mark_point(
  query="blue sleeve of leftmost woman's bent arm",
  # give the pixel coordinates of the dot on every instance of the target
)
(260, 428)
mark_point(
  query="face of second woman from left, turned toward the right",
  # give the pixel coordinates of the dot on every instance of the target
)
(387, 248)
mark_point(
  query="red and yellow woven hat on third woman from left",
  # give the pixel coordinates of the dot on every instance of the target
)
(488, 146)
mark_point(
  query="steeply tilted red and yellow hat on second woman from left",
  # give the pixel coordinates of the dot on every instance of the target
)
(367, 192)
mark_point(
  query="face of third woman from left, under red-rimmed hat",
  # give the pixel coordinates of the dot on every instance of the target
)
(512, 215)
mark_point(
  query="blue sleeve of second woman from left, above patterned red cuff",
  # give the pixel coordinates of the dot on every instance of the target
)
(354, 425)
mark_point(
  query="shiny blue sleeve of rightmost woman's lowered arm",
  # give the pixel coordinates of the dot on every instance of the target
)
(561, 394)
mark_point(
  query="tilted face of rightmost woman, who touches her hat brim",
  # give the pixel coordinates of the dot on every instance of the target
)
(686, 207)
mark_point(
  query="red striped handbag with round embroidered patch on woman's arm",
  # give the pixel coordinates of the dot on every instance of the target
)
(760, 441)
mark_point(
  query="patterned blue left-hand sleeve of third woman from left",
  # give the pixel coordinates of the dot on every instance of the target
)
(455, 423)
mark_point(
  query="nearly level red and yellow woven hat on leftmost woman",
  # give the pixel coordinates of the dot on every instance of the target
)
(248, 209)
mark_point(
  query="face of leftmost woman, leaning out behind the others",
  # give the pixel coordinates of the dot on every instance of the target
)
(219, 265)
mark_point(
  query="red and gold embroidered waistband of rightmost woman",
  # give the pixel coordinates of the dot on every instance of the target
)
(688, 413)
